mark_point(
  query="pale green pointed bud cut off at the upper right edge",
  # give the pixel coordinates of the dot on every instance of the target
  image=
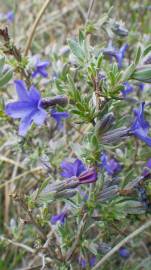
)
(142, 74)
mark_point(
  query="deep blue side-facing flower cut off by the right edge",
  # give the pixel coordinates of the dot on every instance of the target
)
(140, 126)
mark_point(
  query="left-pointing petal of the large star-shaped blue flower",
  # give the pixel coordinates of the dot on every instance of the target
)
(18, 109)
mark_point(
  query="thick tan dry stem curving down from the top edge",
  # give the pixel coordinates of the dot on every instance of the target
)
(30, 38)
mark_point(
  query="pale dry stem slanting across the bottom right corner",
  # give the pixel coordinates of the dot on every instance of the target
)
(122, 243)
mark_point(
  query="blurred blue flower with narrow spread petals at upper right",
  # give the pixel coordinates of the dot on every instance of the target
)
(118, 54)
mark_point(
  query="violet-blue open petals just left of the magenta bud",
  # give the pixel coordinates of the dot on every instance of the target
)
(70, 169)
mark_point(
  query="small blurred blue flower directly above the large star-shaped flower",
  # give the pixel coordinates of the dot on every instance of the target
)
(39, 67)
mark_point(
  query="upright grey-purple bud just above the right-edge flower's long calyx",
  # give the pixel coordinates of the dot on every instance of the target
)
(104, 124)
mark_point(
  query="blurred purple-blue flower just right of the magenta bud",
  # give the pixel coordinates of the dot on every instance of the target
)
(110, 165)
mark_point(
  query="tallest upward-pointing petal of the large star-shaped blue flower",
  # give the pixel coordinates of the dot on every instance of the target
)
(21, 90)
